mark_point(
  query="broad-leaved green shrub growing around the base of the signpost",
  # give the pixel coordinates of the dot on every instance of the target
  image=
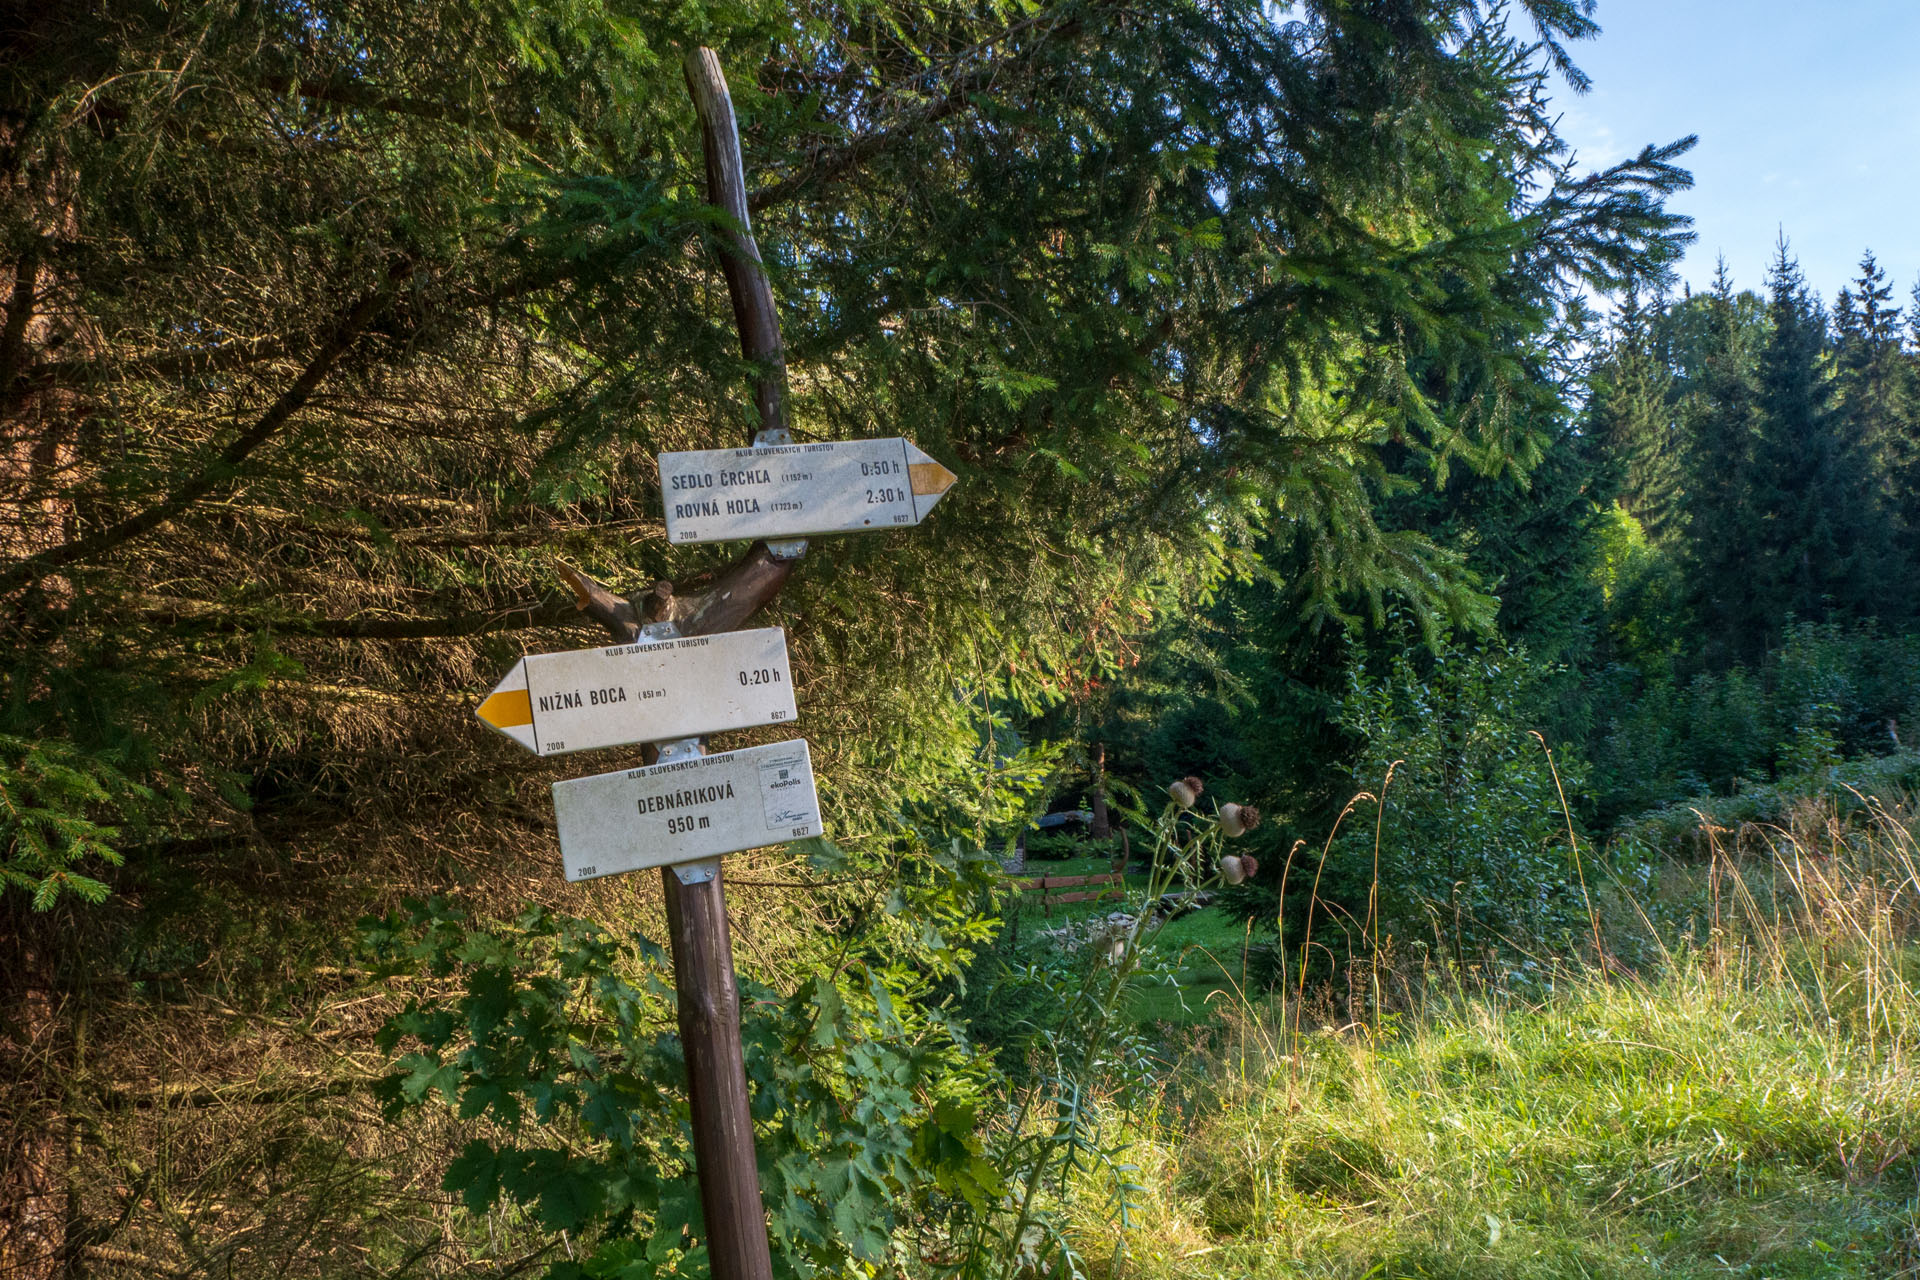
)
(560, 1045)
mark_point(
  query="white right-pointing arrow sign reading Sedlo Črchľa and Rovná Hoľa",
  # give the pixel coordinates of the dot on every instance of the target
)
(777, 492)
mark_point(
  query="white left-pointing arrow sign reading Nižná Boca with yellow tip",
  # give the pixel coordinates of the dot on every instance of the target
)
(644, 694)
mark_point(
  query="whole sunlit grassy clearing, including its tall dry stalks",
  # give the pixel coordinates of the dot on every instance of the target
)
(1752, 1110)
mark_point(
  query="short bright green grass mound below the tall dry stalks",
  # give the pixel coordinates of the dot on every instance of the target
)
(1691, 1129)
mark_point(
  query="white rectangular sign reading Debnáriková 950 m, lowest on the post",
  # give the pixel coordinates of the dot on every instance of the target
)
(686, 811)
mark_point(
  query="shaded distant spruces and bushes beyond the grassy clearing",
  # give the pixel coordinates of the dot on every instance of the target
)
(1700, 594)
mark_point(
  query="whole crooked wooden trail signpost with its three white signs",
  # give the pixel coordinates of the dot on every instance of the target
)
(679, 671)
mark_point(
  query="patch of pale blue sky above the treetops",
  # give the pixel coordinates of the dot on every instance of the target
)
(1808, 120)
